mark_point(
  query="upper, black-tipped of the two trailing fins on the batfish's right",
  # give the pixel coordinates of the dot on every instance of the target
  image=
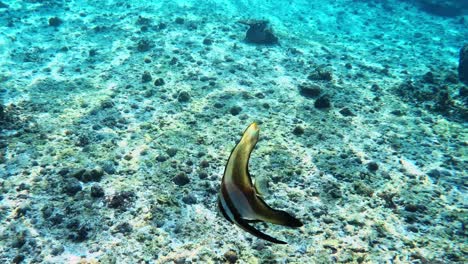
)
(279, 217)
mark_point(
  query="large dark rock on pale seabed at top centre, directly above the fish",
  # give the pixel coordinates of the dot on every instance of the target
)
(259, 32)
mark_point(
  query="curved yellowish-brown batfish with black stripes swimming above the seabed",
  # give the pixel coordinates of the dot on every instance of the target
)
(239, 201)
